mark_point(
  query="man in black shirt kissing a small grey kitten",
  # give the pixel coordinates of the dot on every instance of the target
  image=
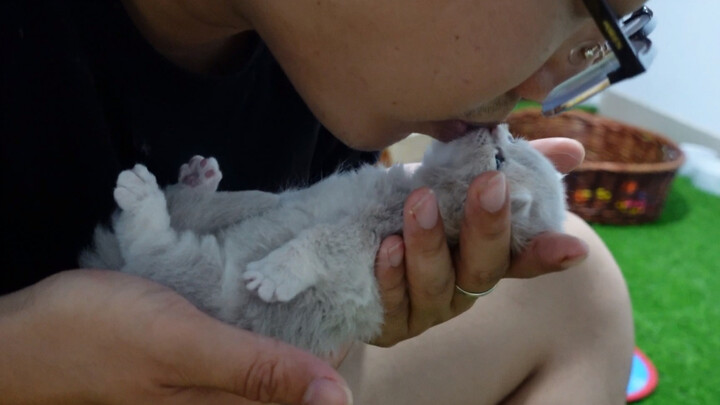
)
(90, 87)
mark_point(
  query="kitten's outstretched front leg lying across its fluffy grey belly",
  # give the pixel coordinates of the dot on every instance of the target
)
(316, 256)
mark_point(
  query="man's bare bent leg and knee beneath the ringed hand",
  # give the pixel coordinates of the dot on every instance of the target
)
(563, 338)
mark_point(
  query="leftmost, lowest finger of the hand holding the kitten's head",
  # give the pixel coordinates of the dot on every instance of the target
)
(390, 274)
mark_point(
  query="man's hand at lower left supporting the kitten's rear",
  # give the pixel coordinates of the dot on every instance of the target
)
(109, 338)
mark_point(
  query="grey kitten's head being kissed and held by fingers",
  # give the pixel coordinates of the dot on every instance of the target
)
(536, 191)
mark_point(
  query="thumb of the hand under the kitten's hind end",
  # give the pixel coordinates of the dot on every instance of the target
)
(211, 354)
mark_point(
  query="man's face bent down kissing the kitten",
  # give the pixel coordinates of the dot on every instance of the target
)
(375, 71)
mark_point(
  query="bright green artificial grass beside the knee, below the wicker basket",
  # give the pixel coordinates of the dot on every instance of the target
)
(672, 267)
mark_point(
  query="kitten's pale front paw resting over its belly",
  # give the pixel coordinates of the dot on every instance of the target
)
(279, 277)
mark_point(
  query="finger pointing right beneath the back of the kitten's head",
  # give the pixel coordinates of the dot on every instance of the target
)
(548, 252)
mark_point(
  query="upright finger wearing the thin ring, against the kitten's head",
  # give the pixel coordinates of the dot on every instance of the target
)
(484, 251)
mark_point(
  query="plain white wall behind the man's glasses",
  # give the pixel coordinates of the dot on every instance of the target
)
(679, 96)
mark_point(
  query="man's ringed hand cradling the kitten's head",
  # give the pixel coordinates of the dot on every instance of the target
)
(417, 272)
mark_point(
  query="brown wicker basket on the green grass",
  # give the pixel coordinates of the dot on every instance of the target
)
(627, 170)
